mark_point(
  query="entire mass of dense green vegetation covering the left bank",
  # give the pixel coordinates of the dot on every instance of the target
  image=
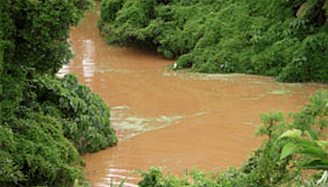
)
(45, 121)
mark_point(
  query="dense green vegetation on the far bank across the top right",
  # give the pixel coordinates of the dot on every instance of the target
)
(287, 39)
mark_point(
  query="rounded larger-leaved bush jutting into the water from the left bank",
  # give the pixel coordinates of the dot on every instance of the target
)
(84, 115)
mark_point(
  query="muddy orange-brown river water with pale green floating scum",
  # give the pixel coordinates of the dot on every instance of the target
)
(176, 120)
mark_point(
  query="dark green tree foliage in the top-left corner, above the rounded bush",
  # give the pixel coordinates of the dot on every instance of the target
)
(34, 40)
